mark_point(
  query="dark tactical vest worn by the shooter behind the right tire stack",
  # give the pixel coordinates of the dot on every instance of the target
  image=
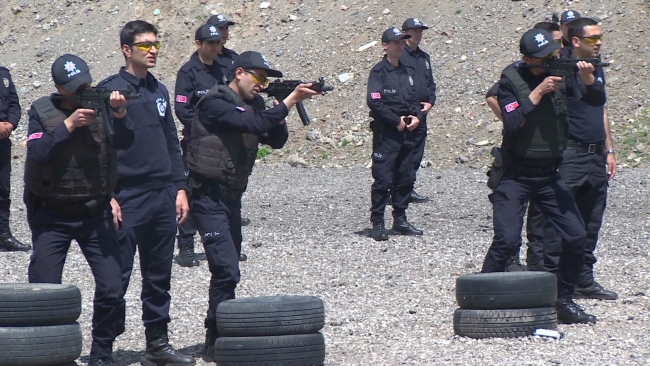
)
(544, 132)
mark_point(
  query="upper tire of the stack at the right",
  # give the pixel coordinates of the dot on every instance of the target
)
(506, 290)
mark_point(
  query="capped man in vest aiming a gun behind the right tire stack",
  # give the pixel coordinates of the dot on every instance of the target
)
(533, 105)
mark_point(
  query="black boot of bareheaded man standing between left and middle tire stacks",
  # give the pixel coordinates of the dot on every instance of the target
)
(160, 352)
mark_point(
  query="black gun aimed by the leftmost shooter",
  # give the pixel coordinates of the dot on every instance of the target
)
(97, 98)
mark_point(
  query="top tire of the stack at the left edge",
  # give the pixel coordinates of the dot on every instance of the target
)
(38, 304)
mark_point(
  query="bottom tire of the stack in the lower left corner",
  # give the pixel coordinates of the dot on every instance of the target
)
(40, 346)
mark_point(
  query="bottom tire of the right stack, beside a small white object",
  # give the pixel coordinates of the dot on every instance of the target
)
(505, 323)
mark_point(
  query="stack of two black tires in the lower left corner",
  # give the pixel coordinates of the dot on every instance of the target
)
(38, 324)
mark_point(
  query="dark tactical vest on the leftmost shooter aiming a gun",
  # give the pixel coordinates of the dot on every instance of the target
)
(85, 168)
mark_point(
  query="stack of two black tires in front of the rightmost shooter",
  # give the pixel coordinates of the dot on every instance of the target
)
(505, 305)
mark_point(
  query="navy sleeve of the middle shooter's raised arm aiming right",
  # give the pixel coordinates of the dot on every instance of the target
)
(216, 113)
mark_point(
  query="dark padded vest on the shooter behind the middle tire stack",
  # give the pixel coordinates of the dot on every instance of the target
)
(225, 157)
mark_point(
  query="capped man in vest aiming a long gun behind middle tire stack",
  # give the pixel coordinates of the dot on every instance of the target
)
(229, 123)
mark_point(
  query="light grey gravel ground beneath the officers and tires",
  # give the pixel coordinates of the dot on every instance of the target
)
(389, 303)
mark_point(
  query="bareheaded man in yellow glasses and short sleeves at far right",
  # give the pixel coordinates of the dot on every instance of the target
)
(588, 164)
